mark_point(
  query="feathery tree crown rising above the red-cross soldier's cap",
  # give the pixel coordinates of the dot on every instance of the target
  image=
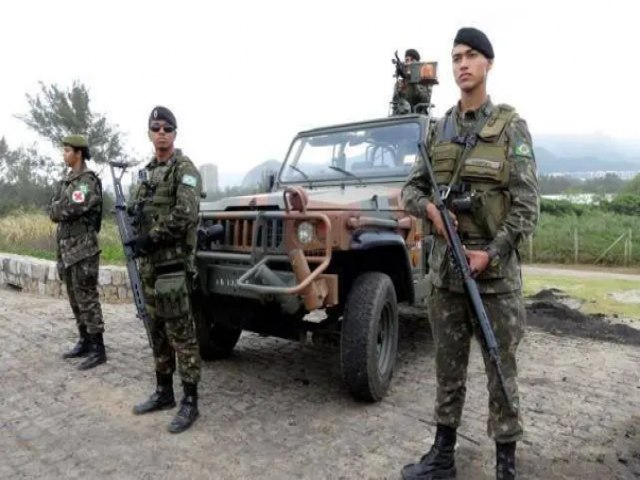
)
(55, 112)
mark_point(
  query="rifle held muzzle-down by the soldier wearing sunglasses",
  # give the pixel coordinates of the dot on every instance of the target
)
(126, 234)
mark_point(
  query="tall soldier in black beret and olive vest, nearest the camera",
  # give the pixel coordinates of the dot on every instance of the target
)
(484, 153)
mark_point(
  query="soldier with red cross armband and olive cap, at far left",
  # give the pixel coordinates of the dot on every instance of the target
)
(77, 209)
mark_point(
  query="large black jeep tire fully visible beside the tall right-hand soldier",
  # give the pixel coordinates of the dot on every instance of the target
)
(369, 340)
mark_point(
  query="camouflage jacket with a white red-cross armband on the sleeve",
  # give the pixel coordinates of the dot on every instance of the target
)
(77, 209)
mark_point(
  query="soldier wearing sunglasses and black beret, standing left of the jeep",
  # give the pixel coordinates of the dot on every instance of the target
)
(165, 208)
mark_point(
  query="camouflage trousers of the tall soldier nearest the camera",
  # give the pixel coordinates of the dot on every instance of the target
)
(453, 326)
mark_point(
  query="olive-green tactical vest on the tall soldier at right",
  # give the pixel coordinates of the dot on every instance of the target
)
(478, 182)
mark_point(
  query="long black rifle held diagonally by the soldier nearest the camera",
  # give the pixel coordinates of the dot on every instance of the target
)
(462, 267)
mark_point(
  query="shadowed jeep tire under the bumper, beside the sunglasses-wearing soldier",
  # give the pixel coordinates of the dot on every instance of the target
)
(216, 340)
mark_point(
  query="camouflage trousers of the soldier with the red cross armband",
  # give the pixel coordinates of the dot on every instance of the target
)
(81, 280)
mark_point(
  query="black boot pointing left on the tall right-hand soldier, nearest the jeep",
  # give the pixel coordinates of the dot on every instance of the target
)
(439, 462)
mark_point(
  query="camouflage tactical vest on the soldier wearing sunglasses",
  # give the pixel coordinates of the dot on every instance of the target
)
(157, 197)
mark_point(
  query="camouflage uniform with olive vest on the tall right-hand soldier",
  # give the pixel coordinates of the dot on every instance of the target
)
(500, 174)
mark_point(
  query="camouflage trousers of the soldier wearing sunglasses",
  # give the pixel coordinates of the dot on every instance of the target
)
(173, 334)
